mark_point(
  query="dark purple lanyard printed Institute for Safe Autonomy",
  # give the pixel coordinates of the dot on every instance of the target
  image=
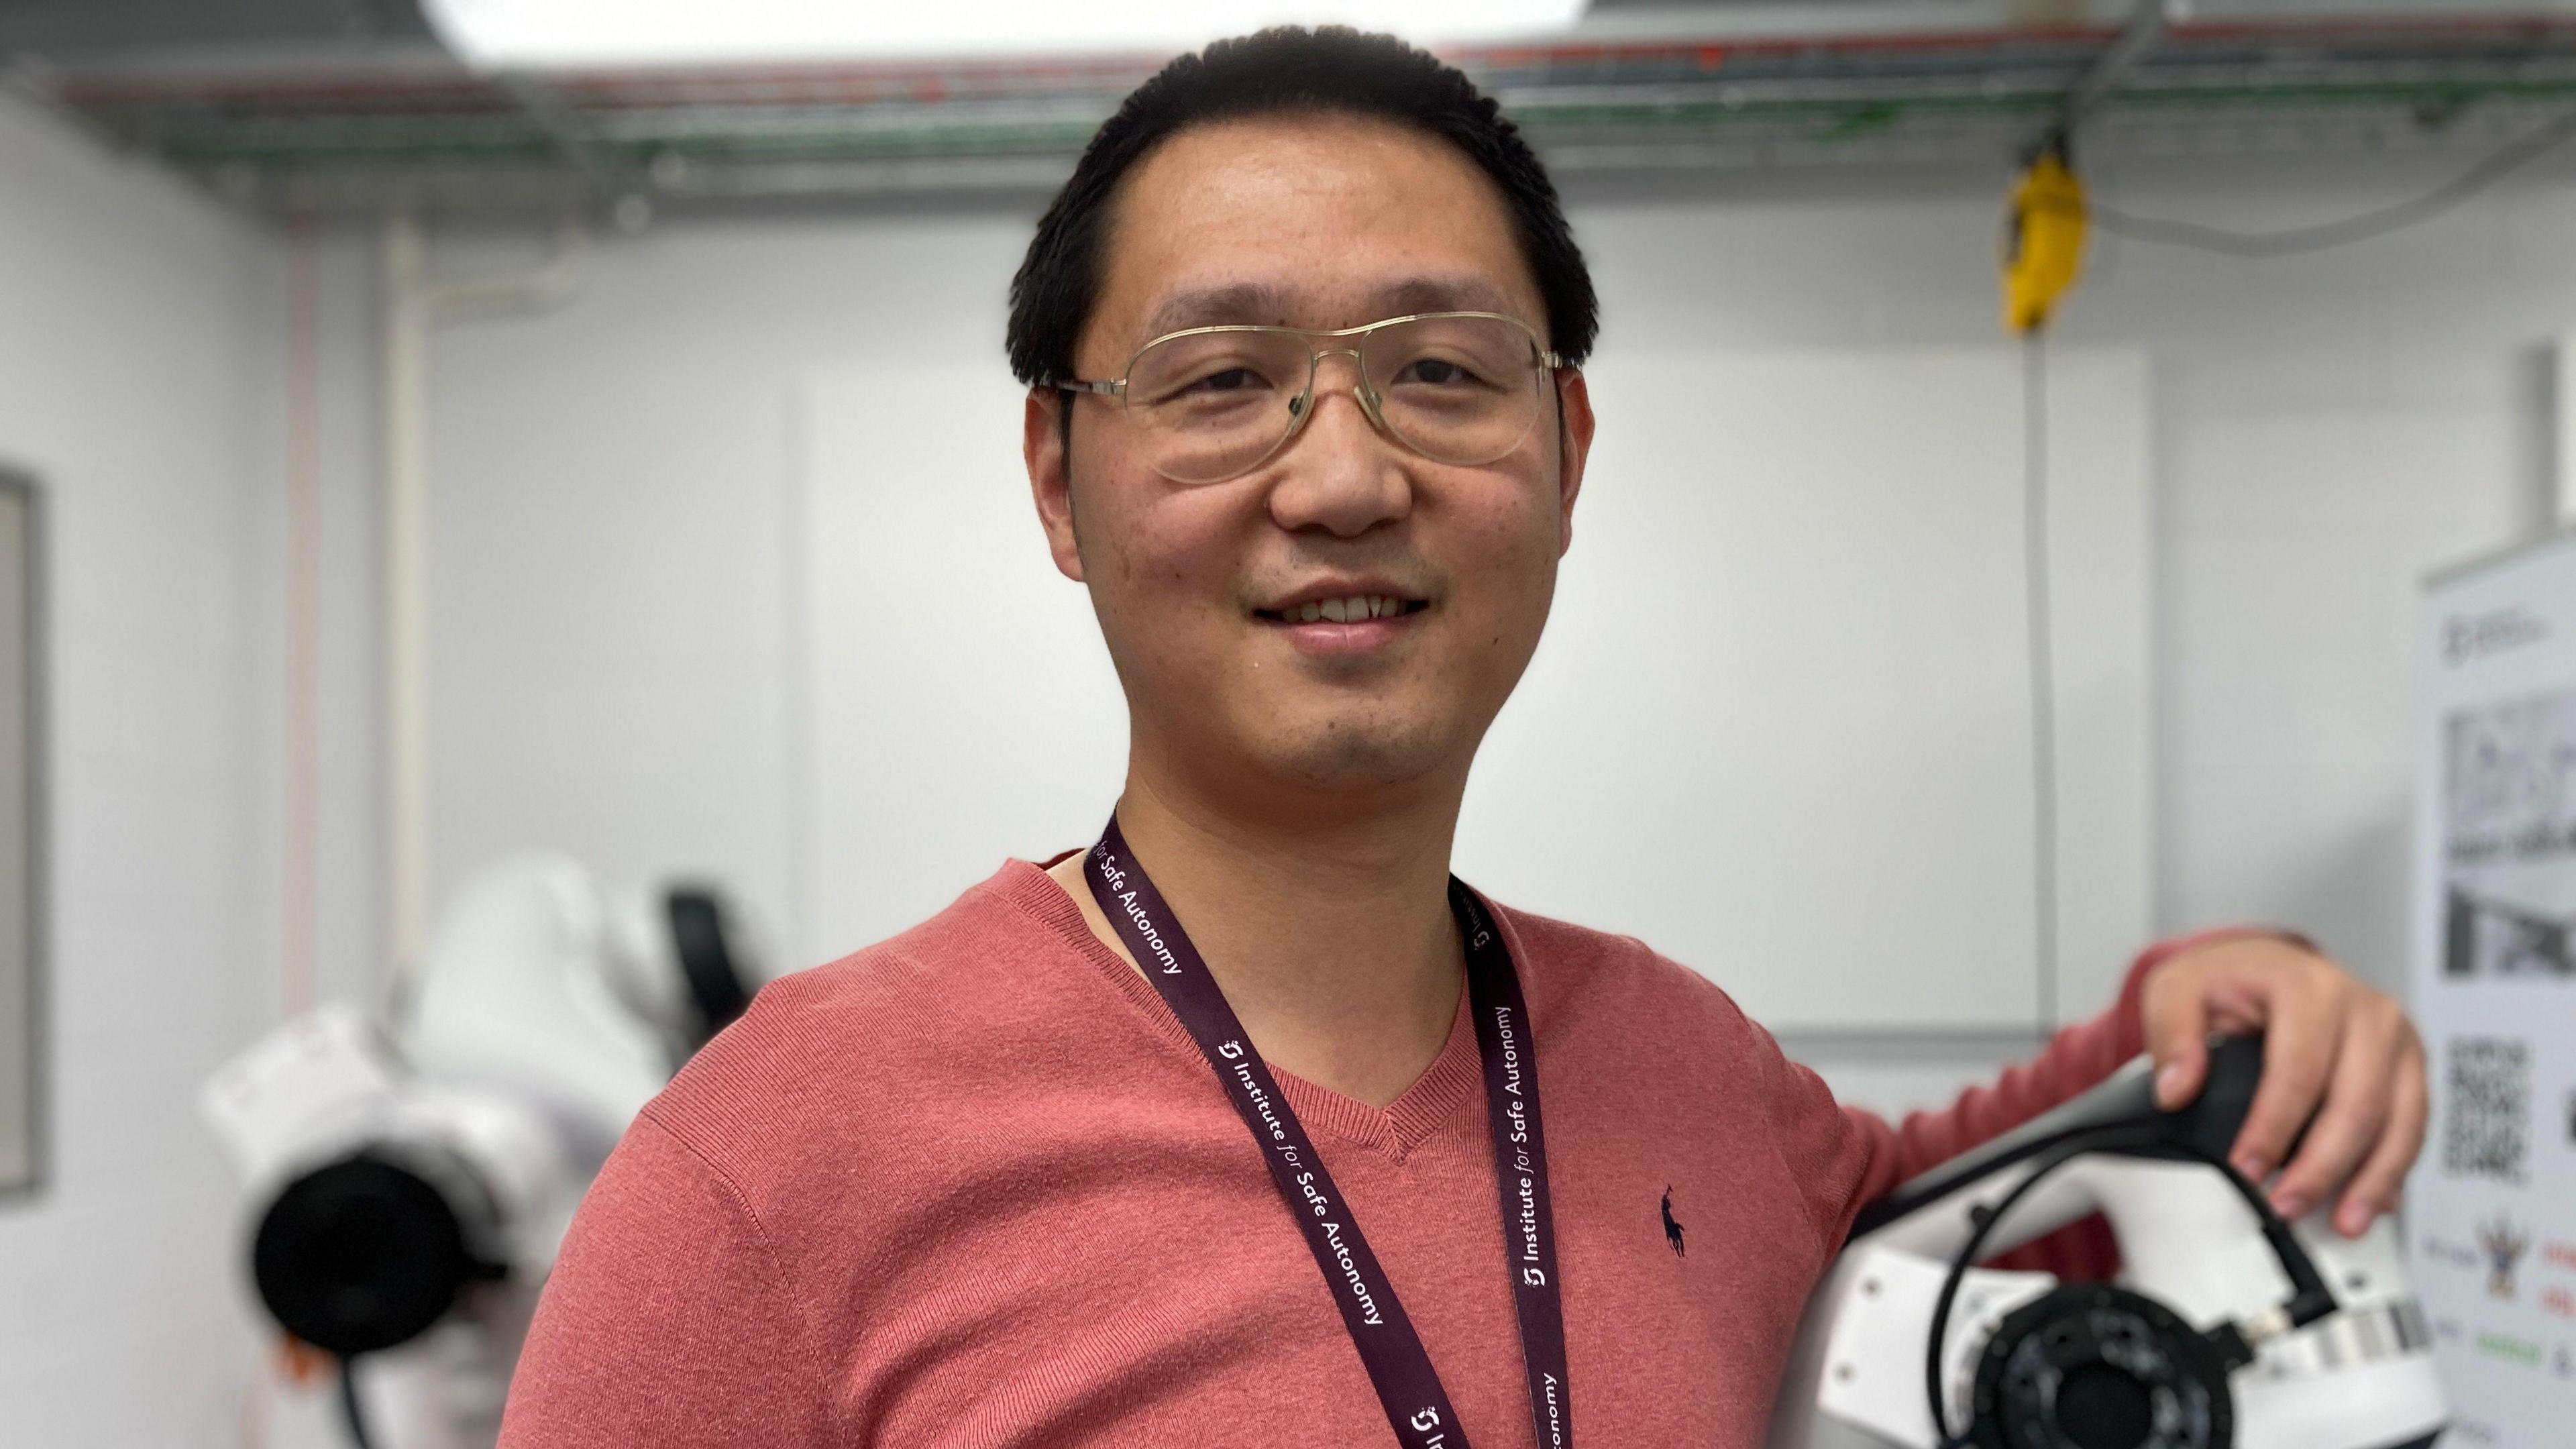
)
(1397, 1365)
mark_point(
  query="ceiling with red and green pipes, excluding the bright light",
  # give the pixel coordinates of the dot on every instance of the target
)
(354, 107)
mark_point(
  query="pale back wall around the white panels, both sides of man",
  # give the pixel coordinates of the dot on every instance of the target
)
(614, 501)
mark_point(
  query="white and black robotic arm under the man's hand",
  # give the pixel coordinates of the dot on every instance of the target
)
(2224, 1329)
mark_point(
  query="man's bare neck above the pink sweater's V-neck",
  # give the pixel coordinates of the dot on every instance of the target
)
(1328, 929)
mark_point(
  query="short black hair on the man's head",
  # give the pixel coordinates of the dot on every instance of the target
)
(1289, 71)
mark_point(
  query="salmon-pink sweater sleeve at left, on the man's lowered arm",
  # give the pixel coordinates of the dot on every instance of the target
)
(666, 1321)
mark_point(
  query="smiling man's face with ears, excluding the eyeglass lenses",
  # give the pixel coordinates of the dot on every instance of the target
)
(1199, 589)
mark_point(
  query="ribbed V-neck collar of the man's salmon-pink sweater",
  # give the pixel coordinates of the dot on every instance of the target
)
(1392, 1131)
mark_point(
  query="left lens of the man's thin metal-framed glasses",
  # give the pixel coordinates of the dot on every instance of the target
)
(1217, 404)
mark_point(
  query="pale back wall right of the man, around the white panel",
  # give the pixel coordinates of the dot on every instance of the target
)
(2327, 429)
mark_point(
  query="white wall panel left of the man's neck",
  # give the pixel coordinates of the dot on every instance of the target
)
(962, 703)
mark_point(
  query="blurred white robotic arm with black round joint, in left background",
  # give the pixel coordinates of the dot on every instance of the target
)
(411, 1187)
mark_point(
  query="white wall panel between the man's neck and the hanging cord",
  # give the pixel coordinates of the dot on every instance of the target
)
(1781, 718)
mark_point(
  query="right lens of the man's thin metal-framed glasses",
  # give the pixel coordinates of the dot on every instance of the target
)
(1459, 391)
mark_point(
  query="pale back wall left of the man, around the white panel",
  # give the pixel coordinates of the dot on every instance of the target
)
(612, 522)
